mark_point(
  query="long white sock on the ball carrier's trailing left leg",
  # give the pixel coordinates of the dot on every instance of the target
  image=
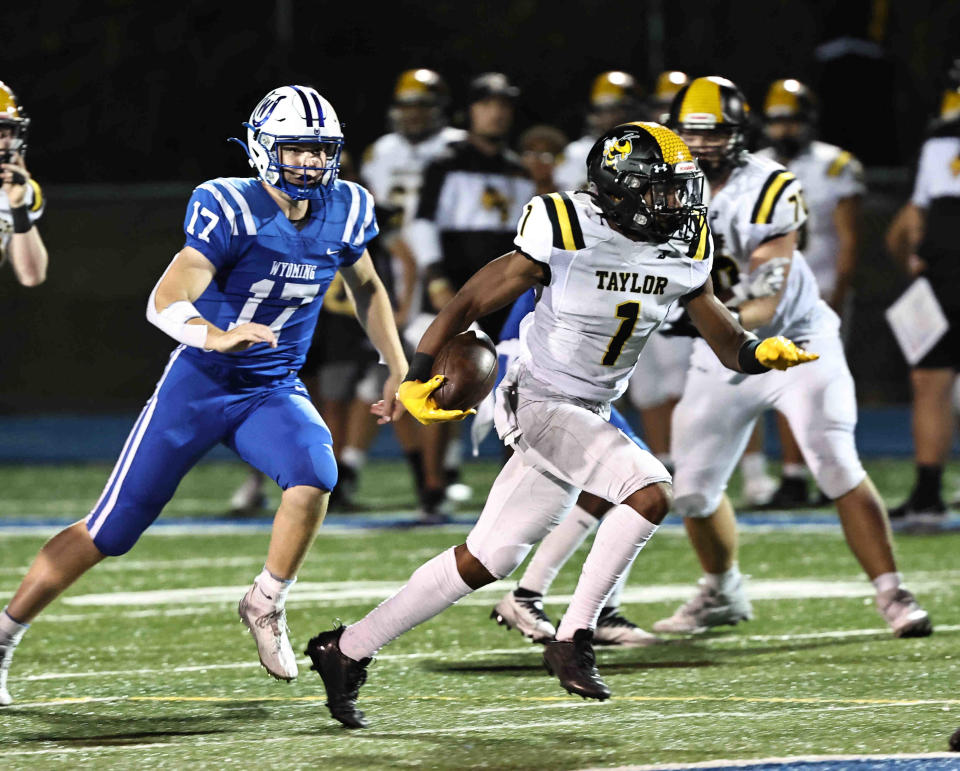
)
(433, 587)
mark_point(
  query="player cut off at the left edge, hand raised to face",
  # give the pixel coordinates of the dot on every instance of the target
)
(21, 200)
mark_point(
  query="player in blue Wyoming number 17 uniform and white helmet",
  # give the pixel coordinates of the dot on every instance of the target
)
(241, 298)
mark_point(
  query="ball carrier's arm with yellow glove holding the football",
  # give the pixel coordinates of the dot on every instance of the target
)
(491, 288)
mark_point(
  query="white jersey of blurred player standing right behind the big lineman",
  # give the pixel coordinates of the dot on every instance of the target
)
(828, 174)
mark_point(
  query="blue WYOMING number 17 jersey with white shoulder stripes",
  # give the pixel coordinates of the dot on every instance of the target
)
(269, 270)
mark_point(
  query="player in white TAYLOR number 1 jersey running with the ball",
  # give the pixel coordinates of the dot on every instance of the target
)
(609, 264)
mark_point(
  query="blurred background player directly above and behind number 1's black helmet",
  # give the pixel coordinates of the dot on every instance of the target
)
(614, 99)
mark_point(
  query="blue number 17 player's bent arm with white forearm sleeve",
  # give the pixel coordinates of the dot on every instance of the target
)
(170, 308)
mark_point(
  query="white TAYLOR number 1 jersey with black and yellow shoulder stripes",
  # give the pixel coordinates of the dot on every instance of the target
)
(606, 295)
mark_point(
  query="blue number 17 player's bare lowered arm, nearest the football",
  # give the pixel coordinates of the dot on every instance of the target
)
(375, 313)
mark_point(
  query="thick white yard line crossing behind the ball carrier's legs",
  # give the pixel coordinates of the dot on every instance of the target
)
(334, 591)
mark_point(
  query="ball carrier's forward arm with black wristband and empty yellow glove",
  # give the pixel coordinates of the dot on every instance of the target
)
(736, 348)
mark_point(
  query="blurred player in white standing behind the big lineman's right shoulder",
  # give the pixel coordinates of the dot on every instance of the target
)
(832, 182)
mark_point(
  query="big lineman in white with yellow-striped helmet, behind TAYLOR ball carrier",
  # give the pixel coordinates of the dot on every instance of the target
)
(756, 210)
